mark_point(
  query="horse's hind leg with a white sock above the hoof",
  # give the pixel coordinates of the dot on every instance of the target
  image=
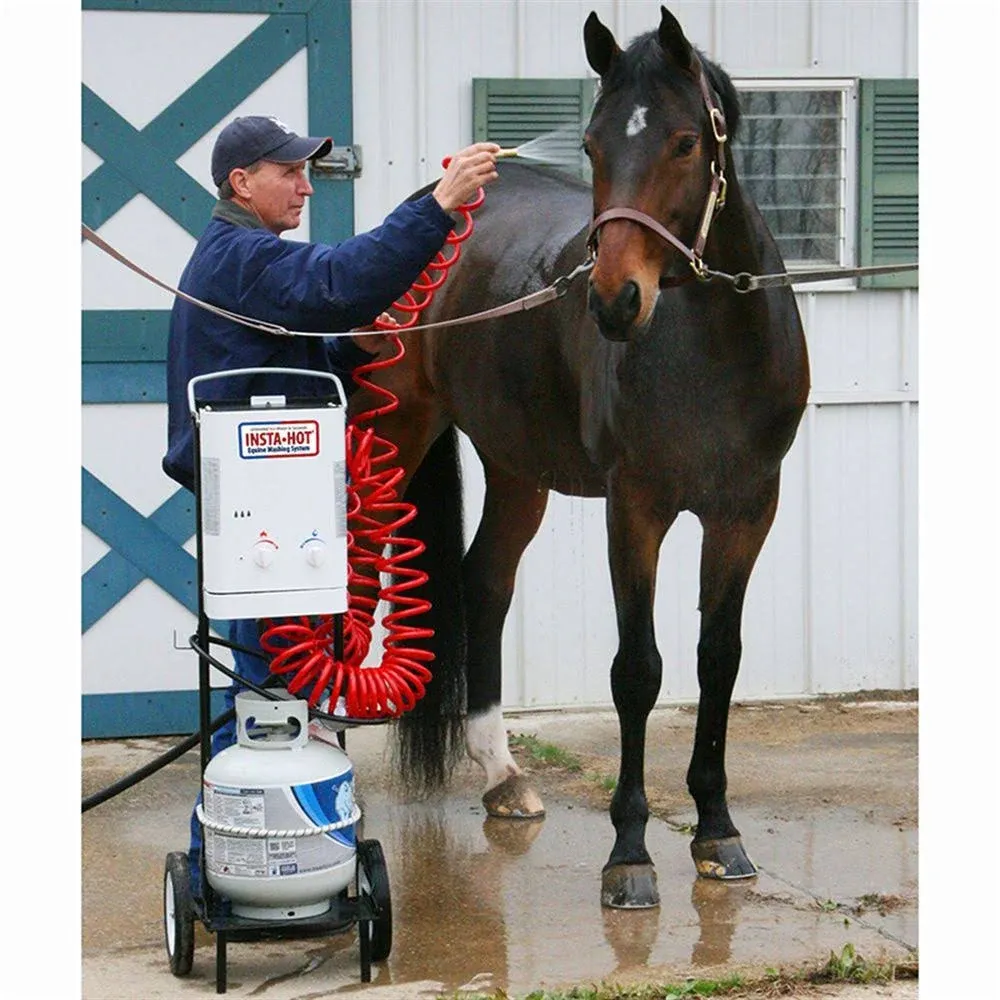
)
(512, 512)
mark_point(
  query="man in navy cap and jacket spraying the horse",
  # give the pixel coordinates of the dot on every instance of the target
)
(242, 264)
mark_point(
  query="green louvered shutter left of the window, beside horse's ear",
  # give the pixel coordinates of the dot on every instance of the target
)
(511, 112)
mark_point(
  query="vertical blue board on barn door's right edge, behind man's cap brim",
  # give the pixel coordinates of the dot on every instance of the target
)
(331, 208)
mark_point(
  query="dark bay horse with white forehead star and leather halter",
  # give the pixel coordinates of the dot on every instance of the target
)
(647, 384)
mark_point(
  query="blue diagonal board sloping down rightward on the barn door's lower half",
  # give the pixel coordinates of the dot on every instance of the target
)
(149, 548)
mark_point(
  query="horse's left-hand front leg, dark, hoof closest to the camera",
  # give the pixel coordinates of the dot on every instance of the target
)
(635, 532)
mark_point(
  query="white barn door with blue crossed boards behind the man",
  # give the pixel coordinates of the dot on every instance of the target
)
(161, 78)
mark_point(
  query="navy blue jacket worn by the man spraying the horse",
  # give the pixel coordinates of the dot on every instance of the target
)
(243, 267)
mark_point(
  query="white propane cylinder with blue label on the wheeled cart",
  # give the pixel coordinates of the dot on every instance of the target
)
(266, 801)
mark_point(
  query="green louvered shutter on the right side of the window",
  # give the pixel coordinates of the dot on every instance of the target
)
(888, 181)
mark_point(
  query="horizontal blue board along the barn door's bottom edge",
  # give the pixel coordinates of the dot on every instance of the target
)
(144, 713)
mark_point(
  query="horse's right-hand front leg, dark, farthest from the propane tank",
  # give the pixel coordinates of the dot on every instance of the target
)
(729, 550)
